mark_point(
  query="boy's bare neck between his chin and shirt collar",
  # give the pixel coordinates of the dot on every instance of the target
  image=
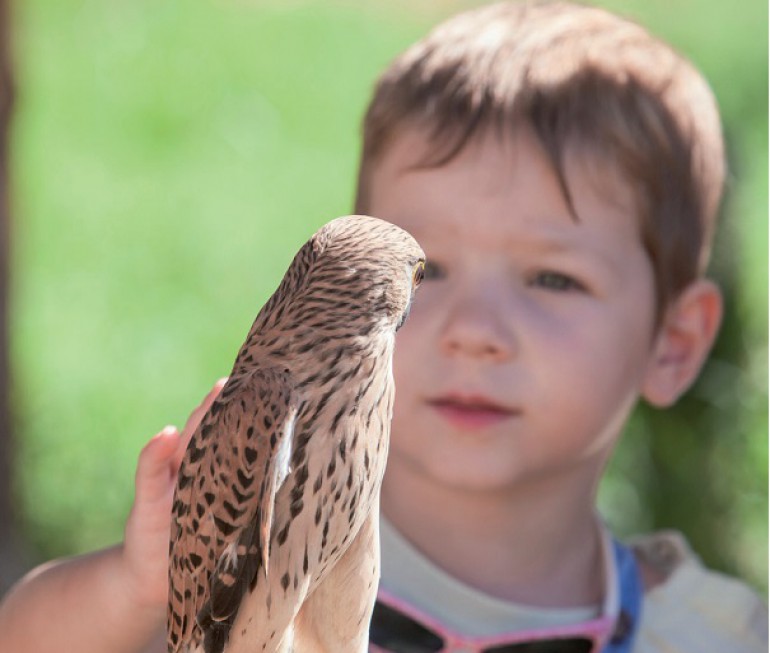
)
(534, 544)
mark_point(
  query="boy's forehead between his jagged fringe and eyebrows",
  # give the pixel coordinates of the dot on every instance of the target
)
(487, 168)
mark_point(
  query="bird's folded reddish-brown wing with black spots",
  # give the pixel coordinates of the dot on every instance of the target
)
(223, 508)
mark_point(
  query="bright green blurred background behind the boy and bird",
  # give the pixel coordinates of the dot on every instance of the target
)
(168, 158)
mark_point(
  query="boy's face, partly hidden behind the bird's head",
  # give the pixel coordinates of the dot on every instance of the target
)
(531, 335)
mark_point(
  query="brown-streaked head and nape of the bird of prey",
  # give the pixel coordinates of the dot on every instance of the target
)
(349, 288)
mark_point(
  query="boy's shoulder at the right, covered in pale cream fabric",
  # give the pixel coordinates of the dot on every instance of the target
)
(688, 607)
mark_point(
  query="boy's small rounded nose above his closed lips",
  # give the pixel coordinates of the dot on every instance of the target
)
(475, 327)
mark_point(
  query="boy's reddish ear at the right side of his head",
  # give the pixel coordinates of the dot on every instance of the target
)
(683, 341)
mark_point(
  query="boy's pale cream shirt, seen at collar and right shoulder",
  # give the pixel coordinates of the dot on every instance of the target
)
(693, 611)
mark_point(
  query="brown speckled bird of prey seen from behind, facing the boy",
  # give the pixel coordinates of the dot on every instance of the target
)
(274, 541)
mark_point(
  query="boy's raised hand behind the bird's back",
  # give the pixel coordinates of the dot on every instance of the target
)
(145, 547)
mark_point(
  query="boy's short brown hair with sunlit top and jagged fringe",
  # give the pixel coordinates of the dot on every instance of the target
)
(578, 76)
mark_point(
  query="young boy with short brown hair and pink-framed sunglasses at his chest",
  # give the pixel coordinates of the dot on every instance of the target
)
(562, 170)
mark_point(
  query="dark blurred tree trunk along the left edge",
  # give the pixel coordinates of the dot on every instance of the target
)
(10, 556)
